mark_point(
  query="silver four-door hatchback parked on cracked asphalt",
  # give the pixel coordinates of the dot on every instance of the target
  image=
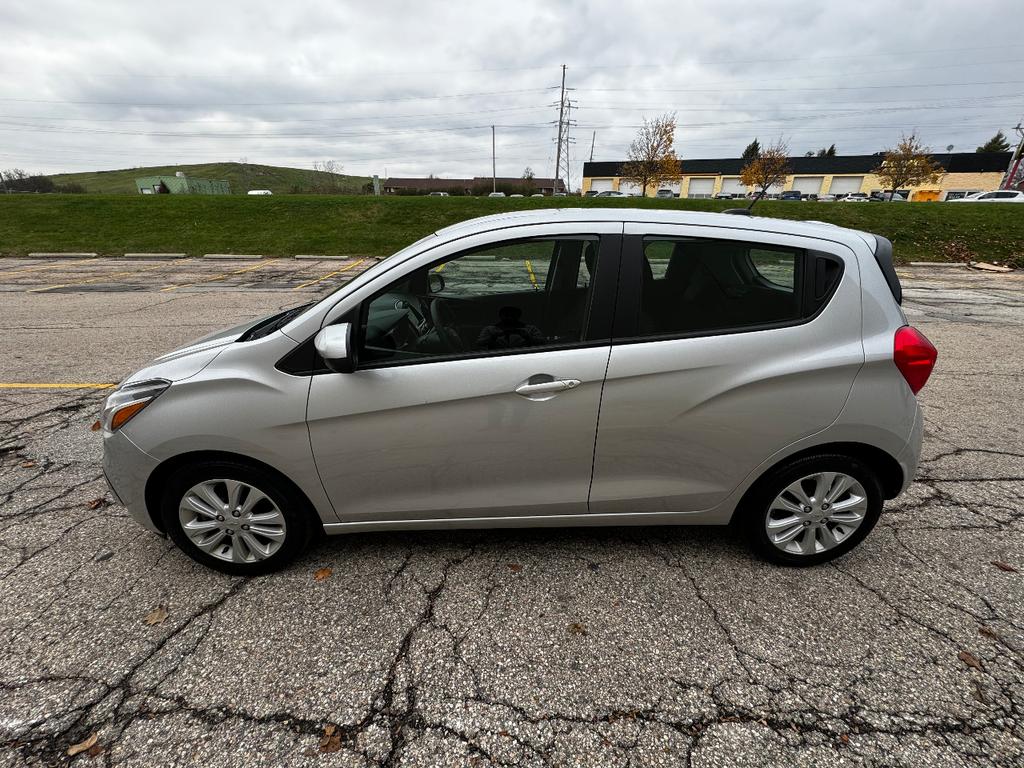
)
(544, 368)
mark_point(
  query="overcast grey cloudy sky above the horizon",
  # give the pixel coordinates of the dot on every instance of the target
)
(412, 89)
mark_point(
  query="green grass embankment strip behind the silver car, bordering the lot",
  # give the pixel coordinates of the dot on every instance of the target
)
(377, 227)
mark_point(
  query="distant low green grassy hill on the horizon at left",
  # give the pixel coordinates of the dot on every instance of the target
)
(242, 178)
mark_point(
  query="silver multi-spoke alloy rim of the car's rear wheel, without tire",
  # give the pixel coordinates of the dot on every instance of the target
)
(817, 514)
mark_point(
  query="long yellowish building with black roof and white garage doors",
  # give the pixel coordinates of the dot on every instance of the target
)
(964, 174)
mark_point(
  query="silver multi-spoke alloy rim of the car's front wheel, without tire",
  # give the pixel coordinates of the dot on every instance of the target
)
(232, 521)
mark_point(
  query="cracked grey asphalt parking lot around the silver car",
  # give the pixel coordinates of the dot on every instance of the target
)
(593, 648)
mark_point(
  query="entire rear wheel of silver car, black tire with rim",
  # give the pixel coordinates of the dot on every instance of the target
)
(823, 535)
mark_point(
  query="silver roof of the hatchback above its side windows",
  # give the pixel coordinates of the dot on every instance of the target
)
(653, 217)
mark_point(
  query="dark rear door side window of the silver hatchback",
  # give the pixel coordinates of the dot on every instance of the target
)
(713, 286)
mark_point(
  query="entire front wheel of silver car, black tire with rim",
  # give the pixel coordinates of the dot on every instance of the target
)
(275, 525)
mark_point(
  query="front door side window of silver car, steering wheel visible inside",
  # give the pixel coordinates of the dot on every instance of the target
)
(503, 298)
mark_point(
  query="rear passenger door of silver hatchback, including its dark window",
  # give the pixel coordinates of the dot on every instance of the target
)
(729, 346)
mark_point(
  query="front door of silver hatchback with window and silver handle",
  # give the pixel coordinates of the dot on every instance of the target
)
(478, 387)
